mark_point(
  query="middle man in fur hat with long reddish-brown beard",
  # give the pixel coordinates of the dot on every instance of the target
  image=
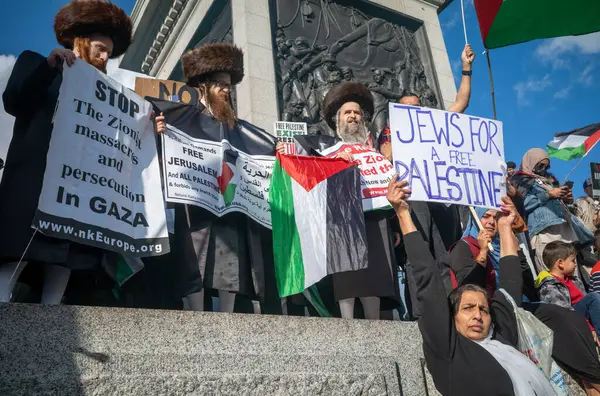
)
(231, 254)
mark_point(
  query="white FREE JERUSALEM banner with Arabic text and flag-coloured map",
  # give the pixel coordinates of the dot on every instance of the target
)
(216, 176)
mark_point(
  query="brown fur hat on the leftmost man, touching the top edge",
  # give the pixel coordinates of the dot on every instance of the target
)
(82, 18)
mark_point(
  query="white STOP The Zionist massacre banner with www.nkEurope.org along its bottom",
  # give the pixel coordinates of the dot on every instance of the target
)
(102, 183)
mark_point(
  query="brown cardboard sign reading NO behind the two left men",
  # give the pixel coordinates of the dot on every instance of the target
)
(174, 91)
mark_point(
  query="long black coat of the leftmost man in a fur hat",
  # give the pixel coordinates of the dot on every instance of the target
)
(31, 94)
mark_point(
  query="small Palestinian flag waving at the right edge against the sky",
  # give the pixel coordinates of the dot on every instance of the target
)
(574, 144)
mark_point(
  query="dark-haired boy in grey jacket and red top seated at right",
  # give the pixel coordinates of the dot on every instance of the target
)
(561, 286)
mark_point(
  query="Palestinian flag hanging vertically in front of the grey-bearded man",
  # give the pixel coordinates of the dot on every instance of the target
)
(318, 221)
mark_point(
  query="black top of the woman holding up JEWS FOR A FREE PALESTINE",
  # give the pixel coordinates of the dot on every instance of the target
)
(458, 365)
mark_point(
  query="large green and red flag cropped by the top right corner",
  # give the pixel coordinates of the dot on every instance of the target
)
(508, 22)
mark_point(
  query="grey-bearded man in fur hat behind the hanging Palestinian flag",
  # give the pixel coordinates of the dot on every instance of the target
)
(347, 108)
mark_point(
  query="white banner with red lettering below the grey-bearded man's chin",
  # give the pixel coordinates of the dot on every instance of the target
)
(375, 173)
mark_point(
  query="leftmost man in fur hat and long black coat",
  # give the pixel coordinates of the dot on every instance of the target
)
(93, 30)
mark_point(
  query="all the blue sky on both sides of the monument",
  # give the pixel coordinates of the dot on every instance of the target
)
(542, 87)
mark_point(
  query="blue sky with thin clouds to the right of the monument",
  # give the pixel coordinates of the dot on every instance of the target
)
(542, 87)
